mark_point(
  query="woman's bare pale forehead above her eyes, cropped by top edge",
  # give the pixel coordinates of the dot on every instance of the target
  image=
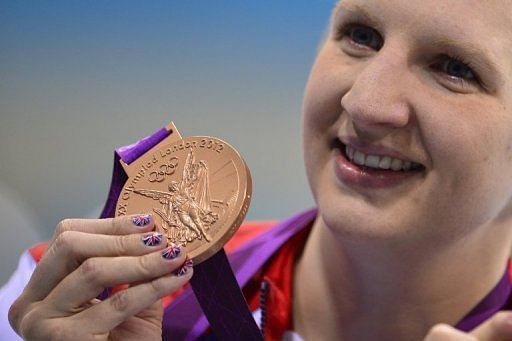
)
(486, 24)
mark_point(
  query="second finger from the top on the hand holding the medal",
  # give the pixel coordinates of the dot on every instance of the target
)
(71, 248)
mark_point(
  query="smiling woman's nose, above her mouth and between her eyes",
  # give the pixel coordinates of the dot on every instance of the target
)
(377, 100)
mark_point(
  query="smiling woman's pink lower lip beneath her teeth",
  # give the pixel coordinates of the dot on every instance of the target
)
(351, 174)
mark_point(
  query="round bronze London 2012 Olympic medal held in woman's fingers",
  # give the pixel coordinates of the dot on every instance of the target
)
(197, 188)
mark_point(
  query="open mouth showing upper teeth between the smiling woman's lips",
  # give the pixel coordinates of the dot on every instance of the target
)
(376, 163)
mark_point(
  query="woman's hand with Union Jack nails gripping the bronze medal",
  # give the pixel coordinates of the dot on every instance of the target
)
(83, 258)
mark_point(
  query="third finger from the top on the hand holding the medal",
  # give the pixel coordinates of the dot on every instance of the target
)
(97, 273)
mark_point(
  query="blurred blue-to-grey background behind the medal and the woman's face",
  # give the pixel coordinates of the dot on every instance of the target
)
(79, 78)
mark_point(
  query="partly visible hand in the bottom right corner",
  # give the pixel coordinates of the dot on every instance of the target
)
(497, 328)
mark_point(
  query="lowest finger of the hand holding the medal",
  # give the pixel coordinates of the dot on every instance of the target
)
(106, 315)
